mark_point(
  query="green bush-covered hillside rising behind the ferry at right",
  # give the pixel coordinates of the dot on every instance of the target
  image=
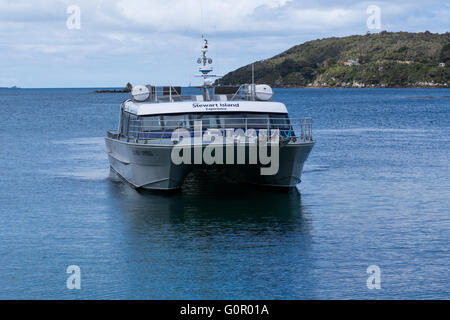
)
(385, 59)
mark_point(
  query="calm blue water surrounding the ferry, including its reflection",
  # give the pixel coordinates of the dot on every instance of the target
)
(376, 190)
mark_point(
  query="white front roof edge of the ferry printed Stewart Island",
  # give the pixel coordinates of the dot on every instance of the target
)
(146, 108)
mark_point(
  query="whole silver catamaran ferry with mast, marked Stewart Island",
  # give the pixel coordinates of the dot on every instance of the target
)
(164, 135)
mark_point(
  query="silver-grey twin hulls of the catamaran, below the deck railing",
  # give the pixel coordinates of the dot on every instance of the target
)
(150, 166)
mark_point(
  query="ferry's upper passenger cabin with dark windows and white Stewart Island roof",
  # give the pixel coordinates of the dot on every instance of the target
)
(166, 109)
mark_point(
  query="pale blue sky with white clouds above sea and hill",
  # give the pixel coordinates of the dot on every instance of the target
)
(105, 43)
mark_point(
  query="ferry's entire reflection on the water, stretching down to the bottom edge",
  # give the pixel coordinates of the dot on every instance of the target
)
(222, 239)
